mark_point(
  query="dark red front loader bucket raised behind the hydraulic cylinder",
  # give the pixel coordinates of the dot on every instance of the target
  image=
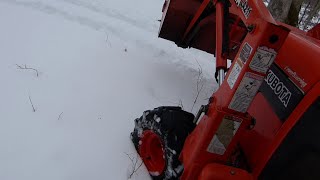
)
(192, 23)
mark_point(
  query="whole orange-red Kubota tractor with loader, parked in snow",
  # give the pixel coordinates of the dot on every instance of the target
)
(264, 120)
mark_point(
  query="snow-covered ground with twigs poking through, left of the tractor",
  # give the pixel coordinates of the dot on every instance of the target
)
(100, 65)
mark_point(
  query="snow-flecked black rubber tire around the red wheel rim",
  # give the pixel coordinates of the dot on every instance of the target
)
(172, 125)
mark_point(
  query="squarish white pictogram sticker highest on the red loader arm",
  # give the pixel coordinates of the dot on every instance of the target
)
(262, 59)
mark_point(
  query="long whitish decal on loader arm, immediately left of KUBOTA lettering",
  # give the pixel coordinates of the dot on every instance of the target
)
(246, 91)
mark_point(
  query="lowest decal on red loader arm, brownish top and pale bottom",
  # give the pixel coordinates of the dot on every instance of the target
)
(224, 135)
